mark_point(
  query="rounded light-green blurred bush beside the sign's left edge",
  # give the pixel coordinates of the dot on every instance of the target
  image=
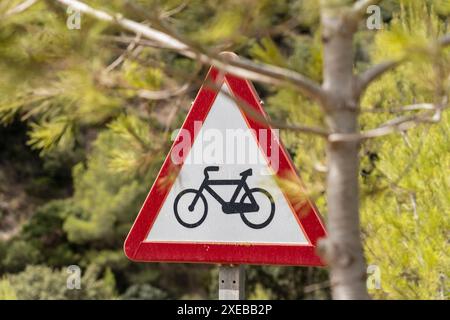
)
(107, 190)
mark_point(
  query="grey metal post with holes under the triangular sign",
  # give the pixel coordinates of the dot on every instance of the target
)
(231, 282)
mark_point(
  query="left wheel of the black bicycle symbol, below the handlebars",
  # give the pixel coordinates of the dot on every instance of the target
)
(186, 215)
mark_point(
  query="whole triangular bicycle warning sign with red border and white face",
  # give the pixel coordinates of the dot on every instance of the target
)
(220, 196)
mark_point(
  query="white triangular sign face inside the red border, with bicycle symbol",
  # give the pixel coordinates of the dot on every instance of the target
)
(224, 192)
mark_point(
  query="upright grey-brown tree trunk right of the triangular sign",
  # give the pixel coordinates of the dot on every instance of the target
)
(343, 248)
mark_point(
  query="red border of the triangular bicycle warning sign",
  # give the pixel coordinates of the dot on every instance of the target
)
(137, 249)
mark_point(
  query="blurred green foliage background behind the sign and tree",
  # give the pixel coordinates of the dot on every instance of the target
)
(86, 114)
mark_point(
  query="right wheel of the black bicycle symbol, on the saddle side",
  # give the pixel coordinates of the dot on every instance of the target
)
(266, 212)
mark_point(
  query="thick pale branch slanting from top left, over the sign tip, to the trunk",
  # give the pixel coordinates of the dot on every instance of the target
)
(243, 67)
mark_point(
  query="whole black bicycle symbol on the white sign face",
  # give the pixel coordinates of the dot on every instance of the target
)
(247, 205)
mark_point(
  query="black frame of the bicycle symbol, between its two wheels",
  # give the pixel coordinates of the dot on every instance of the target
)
(232, 206)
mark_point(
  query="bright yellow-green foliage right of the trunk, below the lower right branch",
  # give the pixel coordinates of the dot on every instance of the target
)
(413, 219)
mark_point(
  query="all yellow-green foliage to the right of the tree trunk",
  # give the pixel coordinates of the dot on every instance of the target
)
(405, 207)
